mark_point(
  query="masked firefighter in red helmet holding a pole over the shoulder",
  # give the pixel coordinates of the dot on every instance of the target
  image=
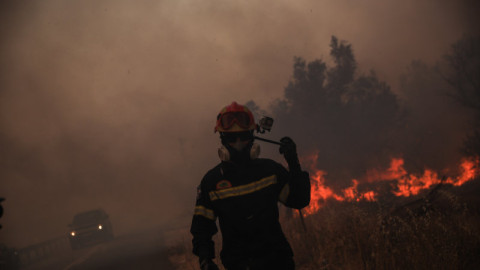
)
(243, 193)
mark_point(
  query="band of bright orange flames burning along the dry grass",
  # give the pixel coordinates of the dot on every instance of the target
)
(404, 184)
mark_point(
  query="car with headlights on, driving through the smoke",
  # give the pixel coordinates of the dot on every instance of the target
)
(90, 227)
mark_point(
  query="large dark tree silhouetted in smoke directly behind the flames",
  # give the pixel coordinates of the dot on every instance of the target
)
(343, 116)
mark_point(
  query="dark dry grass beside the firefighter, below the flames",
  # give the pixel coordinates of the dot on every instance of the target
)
(438, 232)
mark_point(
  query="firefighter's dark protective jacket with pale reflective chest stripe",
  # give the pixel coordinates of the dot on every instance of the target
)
(245, 200)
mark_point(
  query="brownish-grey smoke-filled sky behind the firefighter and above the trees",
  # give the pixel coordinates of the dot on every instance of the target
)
(112, 103)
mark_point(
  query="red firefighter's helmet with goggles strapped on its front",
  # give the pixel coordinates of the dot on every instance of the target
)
(235, 118)
